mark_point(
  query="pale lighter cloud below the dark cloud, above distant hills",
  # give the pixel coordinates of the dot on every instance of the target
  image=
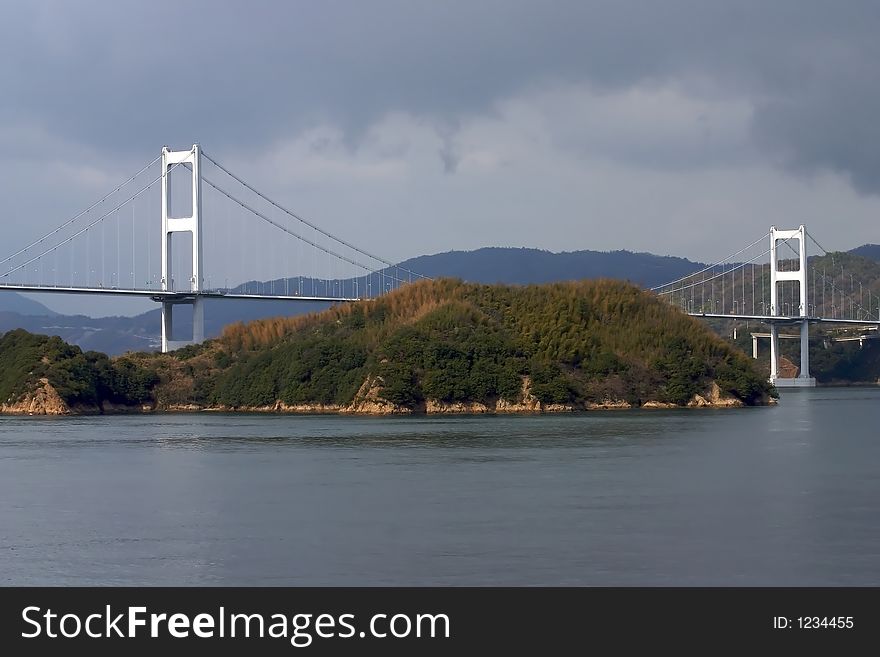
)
(569, 167)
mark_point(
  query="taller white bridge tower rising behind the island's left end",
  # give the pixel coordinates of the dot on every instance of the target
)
(190, 160)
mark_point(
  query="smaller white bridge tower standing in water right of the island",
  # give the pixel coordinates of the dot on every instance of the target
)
(803, 380)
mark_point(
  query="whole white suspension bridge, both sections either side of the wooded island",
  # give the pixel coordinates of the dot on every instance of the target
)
(215, 228)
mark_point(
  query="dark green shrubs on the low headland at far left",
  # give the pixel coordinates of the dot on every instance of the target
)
(86, 379)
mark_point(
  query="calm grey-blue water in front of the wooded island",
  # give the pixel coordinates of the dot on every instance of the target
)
(780, 495)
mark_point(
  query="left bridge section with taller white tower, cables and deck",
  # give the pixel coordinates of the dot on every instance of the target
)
(234, 232)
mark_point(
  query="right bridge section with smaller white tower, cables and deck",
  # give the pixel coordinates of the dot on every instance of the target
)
(772, 281)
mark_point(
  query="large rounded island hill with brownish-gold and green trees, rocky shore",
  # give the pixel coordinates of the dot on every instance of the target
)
(446, 345)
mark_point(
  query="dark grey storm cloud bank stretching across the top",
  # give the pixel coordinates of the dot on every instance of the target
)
(130, 75)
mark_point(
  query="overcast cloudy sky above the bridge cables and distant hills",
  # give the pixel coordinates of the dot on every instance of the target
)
(677, 127)
